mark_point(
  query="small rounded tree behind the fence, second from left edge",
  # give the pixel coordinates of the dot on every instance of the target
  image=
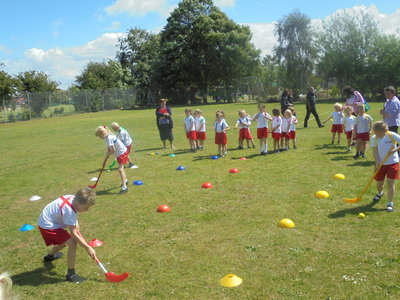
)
(39, 85)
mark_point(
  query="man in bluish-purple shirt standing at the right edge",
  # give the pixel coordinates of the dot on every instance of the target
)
(391, 111)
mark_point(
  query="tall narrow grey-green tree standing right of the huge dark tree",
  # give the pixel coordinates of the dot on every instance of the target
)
(296, 49)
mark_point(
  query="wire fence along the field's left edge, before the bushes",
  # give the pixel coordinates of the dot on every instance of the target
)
(32, 105)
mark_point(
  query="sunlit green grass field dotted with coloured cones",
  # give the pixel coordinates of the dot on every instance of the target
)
(231, 228)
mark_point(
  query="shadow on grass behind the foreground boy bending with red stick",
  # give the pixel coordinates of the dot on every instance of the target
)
(37, 277)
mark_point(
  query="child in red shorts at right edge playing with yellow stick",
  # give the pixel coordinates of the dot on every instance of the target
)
(384, 142)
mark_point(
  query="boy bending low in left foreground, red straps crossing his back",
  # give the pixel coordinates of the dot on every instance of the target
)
(62, 213)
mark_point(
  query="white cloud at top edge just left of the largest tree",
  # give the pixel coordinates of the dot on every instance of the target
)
(139, 7)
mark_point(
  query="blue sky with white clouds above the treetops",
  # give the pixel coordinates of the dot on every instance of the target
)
(60, 37)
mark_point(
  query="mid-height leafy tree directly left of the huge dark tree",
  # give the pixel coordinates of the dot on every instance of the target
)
(138, 52)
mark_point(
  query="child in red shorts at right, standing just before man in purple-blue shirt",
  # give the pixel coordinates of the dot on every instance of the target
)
(362, 128)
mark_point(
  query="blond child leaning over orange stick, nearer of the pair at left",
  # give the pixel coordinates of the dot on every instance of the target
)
(116, 147)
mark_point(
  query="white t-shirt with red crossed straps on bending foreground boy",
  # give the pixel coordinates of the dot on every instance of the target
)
(52, 217)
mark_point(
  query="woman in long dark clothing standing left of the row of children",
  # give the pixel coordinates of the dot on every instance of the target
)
(164, 123)
